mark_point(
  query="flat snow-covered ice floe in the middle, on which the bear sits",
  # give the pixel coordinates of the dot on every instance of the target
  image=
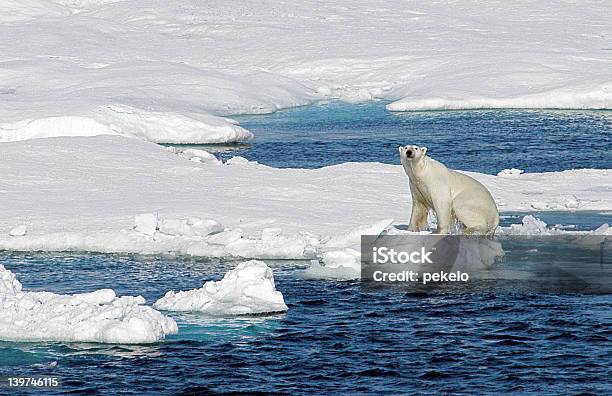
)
(115, 194)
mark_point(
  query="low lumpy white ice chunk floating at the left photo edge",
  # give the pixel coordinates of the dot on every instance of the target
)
(99, 316)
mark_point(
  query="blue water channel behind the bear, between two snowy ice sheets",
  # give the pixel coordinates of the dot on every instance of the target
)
(484, 141)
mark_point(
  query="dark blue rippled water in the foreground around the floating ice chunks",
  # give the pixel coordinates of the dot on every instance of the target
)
(336, 338)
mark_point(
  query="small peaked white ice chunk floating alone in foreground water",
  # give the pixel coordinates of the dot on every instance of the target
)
(247, 289)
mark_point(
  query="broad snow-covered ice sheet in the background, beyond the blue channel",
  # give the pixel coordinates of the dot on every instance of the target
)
(170, 71)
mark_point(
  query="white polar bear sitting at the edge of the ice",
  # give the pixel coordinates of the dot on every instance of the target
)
(449, 193)
